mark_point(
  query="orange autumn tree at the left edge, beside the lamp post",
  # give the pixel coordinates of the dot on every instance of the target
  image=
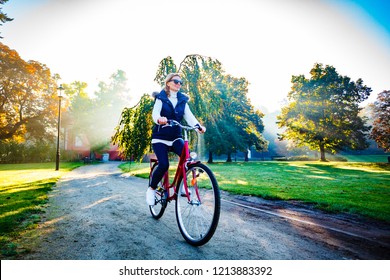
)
(28, 98)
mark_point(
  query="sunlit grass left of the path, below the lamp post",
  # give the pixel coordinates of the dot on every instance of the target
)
(23, 194)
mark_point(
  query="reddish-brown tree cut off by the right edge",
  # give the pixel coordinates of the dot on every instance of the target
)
(381, 125)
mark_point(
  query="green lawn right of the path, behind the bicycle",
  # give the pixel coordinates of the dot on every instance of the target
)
(351, 187)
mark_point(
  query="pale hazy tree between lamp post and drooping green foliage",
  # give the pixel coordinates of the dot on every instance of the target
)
(97, 116)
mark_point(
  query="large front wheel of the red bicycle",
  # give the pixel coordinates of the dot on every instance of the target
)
(198, 213)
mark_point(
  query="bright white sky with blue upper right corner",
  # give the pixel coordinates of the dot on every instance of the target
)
(264, 41)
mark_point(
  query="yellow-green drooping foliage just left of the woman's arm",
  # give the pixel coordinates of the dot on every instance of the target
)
(134, 132)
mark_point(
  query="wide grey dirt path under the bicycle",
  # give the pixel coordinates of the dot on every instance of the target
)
(96, 212)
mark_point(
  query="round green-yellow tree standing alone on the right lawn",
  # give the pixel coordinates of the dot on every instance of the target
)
(323, 111)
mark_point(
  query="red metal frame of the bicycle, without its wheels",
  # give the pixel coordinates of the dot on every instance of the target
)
(184, 161)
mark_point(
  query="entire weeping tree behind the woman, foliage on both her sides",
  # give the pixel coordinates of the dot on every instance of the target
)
(219, 101)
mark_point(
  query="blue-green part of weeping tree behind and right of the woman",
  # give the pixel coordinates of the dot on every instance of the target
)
(220, 102)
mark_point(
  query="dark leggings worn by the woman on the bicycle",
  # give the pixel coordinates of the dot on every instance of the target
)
(161, 150)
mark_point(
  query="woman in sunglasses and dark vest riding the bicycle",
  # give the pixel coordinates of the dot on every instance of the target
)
(170, 104)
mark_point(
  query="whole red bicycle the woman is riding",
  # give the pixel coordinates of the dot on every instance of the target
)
(196, 192)
